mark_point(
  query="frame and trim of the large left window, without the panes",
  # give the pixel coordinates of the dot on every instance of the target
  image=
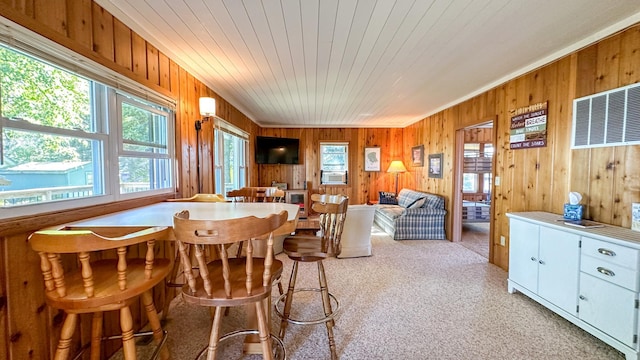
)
(107, 87)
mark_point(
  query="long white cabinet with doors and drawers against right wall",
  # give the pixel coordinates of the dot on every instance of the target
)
(589, 276)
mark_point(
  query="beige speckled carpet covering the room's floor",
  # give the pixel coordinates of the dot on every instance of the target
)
(412, 300)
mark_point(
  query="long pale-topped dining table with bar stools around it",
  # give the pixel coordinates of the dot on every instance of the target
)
(161, 214)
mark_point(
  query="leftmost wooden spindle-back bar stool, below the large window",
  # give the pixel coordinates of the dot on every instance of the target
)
(109, 276)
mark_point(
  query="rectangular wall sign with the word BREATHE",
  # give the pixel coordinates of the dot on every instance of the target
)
(529, 127)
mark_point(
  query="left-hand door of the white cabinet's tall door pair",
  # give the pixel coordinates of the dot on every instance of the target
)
(523, 253)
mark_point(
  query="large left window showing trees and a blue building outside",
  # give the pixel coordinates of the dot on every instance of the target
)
(69, 141)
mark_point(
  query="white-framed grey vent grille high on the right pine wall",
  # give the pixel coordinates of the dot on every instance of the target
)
(609, 118)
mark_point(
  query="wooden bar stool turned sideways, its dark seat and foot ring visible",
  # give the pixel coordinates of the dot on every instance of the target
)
(332, 211)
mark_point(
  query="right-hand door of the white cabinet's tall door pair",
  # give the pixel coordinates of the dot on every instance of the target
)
(559, 260)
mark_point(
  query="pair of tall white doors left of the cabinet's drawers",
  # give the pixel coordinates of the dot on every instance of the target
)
(545, 262)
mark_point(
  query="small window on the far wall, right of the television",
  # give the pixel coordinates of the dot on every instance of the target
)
(334, 162)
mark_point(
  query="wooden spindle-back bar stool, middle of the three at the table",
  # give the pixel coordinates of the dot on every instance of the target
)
(227, 282)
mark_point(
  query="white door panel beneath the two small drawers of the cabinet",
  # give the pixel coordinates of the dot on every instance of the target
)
(608, 307)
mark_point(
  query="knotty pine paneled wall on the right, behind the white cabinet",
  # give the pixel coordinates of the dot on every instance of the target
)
(540, 179)
